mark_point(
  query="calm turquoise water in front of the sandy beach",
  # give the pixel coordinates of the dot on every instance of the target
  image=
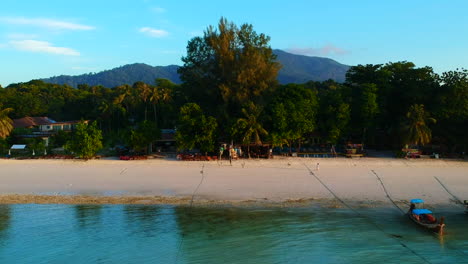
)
(169, 234)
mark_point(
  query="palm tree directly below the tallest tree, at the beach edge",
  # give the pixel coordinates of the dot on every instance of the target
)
(249, 127)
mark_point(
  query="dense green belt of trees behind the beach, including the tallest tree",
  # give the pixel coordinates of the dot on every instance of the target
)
(230, 92)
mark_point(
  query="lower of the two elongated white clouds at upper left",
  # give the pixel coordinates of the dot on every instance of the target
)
(42, 47)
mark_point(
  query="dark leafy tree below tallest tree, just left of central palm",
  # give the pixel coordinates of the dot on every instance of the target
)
(195, 130)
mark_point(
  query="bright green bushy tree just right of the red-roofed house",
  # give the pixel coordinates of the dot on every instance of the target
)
(86, 140)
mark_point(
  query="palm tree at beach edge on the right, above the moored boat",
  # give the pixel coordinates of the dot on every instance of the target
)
(416, 127)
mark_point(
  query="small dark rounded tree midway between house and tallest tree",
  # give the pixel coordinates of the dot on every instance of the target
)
(145, 134)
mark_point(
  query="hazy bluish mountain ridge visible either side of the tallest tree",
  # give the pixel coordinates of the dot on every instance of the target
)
(296, 69)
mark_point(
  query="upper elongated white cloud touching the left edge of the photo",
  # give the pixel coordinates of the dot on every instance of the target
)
(45, 23)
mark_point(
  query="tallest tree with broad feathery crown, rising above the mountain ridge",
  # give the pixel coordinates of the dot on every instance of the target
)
(228, 67)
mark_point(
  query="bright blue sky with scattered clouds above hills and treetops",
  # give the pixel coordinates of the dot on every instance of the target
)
(40, 39)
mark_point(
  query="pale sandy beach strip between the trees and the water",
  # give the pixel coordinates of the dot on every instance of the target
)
(283, 181)
